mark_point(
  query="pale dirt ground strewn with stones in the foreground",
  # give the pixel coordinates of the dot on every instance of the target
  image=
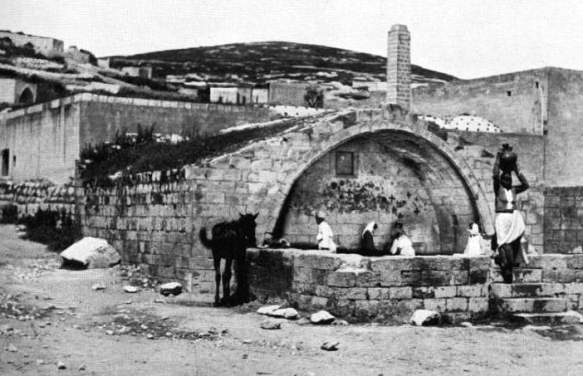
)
(50, 315)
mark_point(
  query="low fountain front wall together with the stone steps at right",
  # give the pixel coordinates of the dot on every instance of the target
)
(389, 289)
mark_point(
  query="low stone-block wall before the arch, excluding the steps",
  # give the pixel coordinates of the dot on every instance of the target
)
(379, 289)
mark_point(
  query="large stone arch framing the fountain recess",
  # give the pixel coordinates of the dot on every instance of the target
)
(274, 165)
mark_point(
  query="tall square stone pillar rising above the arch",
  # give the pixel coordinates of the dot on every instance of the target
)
(399, 67)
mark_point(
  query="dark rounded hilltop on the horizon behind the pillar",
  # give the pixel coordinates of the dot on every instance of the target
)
(263, 61)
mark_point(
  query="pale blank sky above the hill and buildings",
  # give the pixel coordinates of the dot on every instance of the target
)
(465, 38)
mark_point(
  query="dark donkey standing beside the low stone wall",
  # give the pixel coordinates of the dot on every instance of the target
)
(230, 241)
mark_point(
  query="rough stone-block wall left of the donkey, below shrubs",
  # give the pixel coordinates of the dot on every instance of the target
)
(152, 219)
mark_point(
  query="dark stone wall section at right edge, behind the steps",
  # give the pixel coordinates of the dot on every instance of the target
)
(563, 221)
